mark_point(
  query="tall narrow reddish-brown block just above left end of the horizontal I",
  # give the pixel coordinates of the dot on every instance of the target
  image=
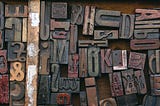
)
(73, 39)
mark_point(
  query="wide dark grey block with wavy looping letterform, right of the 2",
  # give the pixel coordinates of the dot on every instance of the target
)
(69, 85)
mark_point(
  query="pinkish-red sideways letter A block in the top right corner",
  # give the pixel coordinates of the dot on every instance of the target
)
(147, 14)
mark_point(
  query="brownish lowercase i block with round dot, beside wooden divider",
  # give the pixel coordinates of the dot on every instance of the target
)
(44, 58)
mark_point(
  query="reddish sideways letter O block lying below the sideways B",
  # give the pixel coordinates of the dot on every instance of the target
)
(144, 44)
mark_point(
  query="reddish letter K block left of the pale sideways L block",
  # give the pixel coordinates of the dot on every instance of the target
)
(106, 61)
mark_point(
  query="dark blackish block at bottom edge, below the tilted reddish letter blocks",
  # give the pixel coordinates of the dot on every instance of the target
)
(127, 100)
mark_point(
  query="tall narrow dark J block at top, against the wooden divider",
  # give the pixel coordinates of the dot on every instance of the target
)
(45, 17)
